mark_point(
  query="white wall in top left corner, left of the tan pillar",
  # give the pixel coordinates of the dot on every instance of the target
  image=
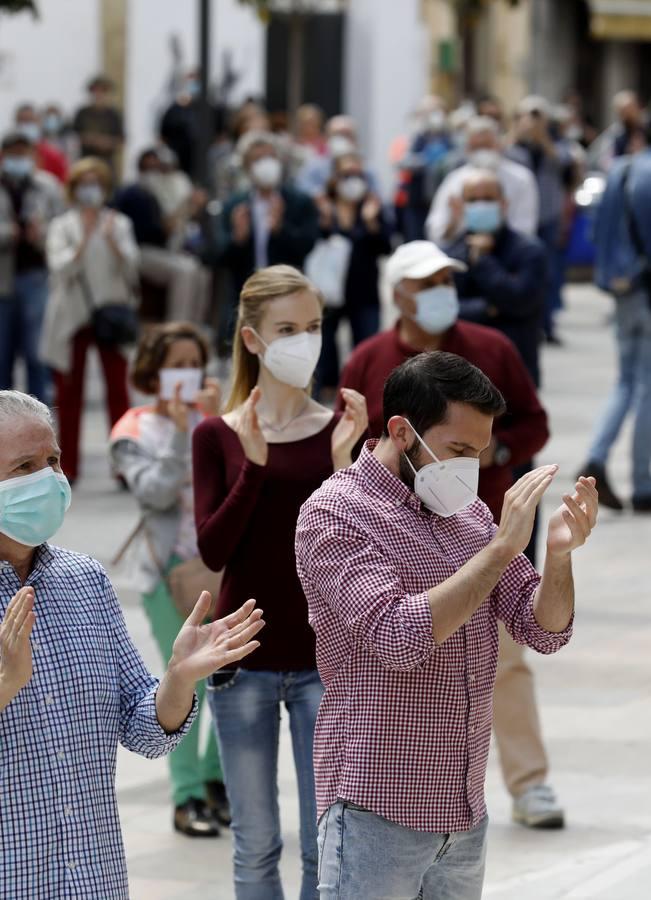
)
(50, 58)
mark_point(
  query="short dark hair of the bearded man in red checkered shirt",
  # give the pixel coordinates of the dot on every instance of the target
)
(423, 386)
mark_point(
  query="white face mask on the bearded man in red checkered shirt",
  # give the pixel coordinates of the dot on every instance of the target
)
(445, 487)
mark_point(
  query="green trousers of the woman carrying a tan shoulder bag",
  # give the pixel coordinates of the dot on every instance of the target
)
(189, 769)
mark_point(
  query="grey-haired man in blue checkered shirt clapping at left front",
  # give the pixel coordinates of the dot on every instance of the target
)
(72, 684)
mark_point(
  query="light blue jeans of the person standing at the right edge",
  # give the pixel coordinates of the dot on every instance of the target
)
(632, 393)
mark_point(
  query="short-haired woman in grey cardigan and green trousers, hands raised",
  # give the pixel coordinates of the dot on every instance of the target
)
(150, 448)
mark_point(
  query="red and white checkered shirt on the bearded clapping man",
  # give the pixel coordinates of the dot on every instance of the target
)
(404, 725)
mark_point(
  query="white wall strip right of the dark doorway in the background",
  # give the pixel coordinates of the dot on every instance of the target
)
(386, 73)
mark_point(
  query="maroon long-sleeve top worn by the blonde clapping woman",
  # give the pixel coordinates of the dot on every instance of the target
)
(246, 521)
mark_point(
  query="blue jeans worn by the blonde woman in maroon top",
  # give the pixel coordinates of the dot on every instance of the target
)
(246, 710)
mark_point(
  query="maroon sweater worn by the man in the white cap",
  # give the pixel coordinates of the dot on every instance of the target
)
(523, 429)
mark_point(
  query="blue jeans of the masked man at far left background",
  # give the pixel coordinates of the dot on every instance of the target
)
(21, 320)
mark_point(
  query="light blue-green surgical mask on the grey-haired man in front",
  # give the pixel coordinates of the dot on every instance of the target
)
(33, 507)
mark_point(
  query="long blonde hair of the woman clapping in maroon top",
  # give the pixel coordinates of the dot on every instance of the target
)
(267, 284)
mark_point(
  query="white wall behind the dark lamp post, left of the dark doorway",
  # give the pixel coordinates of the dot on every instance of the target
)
(152, 24)
